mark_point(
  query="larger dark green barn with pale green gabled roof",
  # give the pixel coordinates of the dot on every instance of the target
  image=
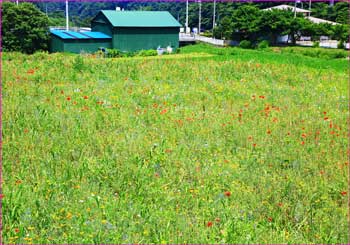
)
(137, 30)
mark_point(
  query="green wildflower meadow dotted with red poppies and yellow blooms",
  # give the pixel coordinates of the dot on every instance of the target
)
(212, 145)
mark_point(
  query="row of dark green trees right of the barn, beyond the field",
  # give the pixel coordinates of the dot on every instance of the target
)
(248, 22)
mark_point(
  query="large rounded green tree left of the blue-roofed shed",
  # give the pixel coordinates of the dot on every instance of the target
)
(24, 28)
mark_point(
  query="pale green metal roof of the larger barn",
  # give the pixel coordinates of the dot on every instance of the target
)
(140, 18)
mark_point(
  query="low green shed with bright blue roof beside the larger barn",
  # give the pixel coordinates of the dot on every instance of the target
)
(76, 42)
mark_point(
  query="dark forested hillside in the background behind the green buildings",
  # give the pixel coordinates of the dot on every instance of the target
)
(82, 12)
